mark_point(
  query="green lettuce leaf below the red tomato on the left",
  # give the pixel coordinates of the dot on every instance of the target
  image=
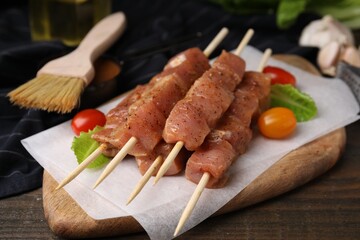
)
(84, 145)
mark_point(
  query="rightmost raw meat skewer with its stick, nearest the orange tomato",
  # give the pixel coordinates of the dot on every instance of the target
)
(209, 164)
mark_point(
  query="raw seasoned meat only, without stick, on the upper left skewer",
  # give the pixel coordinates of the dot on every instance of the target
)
(146, 117)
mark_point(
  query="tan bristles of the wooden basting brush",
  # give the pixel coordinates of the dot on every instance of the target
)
(49, 92)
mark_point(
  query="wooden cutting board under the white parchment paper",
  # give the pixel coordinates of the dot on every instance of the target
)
(67, 219)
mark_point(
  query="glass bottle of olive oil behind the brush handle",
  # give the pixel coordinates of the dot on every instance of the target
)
(65, 20)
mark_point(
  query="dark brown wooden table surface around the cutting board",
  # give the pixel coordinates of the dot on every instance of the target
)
(328, 207)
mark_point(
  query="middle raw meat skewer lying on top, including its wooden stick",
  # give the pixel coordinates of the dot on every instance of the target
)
(192, 118)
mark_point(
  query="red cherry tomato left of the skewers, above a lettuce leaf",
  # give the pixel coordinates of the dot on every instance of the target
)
(86, 120)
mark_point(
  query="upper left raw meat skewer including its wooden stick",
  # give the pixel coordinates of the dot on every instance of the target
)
(147, 116)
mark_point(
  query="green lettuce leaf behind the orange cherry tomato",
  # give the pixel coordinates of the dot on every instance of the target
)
(285, 95)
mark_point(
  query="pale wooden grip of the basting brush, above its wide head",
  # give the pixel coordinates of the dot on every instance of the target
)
(102, 36)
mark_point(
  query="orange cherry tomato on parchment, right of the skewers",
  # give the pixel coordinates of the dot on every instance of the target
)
(277, 123)
